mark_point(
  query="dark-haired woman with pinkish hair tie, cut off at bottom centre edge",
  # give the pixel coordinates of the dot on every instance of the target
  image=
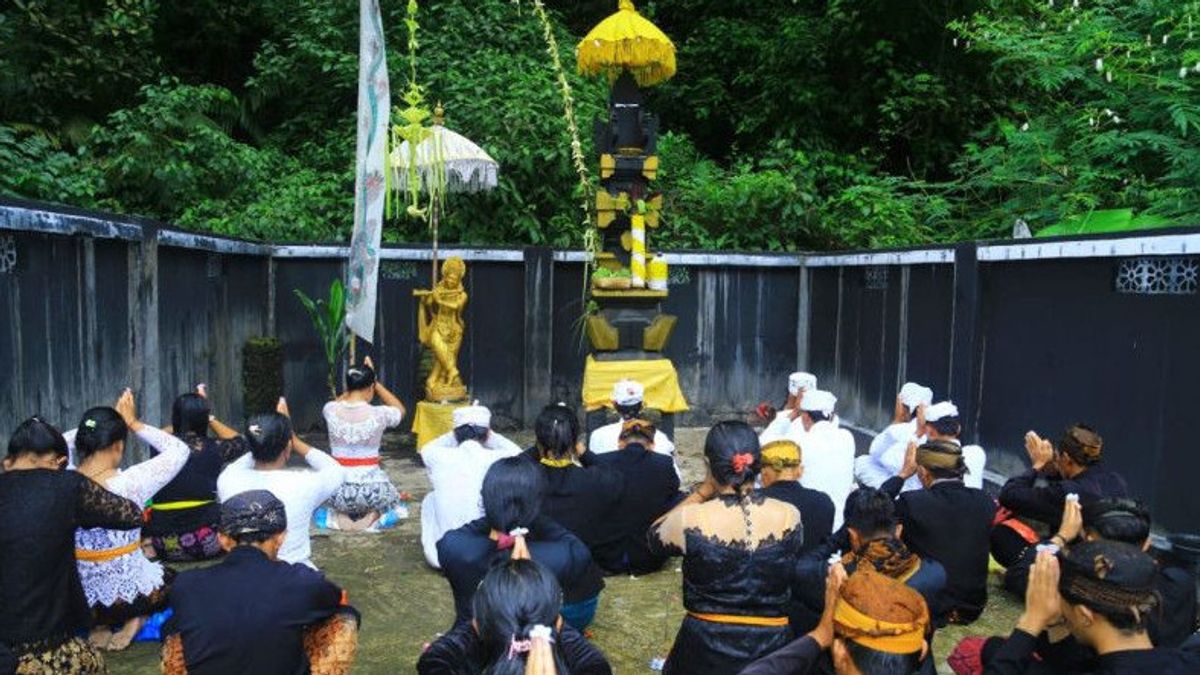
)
(517, 629)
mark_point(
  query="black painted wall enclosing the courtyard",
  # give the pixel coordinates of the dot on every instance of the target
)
(93, 306)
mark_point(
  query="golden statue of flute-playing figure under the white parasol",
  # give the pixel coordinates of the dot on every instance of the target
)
(440, 327)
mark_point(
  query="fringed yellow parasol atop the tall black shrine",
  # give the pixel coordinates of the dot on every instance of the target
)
(627, 41)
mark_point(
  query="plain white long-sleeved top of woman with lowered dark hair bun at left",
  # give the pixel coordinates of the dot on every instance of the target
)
(302, 493)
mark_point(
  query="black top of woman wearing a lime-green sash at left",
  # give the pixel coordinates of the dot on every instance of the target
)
(196, 482)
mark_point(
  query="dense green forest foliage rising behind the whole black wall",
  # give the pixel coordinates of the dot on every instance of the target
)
(791, 124)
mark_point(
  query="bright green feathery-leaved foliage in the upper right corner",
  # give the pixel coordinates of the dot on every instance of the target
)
(1102, 112)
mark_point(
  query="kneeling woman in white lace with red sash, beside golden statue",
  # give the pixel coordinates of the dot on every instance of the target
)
(367, 500)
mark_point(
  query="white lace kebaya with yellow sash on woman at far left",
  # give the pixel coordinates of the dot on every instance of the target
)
(130, 575)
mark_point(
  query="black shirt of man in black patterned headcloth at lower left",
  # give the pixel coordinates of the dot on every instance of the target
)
(249, 613)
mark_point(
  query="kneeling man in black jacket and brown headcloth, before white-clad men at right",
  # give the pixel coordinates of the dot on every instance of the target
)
(950, 523)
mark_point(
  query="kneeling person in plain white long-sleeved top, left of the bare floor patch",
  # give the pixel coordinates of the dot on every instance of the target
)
(272, 444)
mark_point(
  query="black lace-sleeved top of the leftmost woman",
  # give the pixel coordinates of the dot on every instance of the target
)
(41, 596)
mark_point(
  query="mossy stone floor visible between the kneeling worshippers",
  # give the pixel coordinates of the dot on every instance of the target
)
(405, 604)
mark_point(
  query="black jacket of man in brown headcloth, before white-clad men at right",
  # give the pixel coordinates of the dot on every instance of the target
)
(951, 524)
